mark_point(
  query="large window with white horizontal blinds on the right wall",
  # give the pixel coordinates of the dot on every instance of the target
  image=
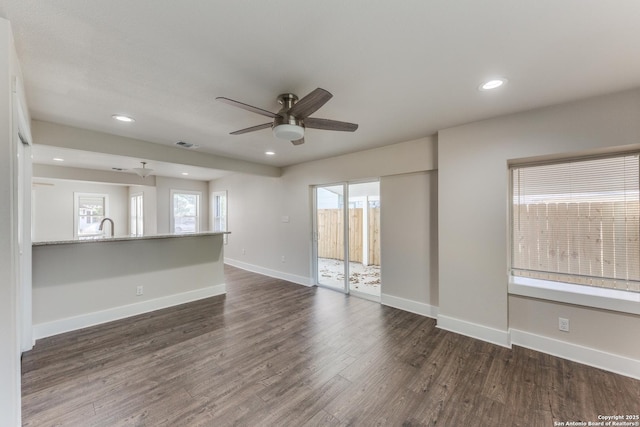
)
(578, 221)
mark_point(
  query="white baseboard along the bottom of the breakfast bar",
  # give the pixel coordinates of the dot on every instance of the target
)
(60, 326)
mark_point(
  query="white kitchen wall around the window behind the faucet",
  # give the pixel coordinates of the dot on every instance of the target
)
(53, 213)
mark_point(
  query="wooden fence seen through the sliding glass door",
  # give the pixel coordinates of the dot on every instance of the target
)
(331, 234)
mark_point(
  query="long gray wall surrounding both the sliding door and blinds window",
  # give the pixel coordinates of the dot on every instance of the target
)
(444, 226)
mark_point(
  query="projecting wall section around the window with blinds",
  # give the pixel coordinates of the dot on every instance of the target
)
(473, 225)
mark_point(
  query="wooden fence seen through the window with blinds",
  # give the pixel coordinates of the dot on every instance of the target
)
(585, 243)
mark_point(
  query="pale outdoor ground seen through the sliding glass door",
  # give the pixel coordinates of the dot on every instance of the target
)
(365, 279)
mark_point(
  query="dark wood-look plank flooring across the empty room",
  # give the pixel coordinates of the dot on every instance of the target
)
(272, 353)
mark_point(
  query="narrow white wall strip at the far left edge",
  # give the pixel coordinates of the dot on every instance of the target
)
(10, 310)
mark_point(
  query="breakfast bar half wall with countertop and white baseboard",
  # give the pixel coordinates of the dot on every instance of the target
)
(79, 283)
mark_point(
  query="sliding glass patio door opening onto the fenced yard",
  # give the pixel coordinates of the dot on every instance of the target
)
(347, 238)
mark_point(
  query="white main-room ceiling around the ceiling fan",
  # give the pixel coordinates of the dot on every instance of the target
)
(401, 69)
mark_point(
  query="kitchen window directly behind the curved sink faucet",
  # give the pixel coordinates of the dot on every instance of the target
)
(89, 210)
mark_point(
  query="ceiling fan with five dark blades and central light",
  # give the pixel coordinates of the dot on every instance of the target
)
(289, 123)
